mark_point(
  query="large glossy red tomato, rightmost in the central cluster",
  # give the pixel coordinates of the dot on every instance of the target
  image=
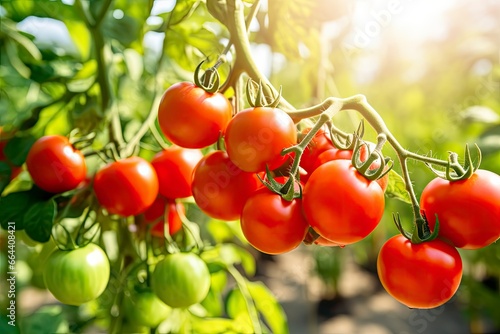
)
(342, 205)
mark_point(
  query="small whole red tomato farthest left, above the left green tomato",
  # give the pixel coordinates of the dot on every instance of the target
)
(55, 165)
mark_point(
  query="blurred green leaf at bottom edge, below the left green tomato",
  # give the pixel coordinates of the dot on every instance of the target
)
(47, 319)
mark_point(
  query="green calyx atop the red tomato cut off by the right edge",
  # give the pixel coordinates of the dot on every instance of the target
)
(454, 171)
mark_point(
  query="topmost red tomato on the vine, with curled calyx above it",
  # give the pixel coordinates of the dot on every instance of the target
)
(191, 117)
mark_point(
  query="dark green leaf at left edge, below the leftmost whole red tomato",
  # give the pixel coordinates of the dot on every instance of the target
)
(15, 205)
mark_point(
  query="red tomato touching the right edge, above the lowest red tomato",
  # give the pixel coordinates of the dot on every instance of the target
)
(468, 210)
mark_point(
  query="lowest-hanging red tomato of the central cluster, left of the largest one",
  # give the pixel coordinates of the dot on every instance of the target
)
(272, 224)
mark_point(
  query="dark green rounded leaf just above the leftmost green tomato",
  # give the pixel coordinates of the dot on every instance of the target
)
(39, 220)
